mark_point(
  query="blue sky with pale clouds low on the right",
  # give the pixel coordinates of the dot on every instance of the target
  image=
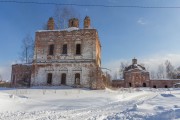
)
(151, 35)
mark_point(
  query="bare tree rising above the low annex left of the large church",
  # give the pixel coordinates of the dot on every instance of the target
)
(27, 49)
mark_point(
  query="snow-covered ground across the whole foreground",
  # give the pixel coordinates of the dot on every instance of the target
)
(66, 103)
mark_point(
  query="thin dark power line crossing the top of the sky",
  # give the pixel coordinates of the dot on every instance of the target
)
(88, 5)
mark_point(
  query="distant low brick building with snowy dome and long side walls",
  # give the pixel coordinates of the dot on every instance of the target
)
(136, 75)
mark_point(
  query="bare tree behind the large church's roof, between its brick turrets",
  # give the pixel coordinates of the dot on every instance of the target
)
(63, 14)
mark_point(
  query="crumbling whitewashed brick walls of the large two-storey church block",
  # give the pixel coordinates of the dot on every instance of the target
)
(69, 64)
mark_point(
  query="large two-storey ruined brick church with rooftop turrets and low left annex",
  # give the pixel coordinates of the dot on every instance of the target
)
(69, 56)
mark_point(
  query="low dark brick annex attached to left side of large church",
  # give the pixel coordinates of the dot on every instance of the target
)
(21, 75)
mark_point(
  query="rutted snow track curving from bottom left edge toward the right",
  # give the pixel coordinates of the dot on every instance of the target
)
(94, 112)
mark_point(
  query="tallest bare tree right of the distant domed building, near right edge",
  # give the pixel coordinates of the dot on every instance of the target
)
(169, 69)
